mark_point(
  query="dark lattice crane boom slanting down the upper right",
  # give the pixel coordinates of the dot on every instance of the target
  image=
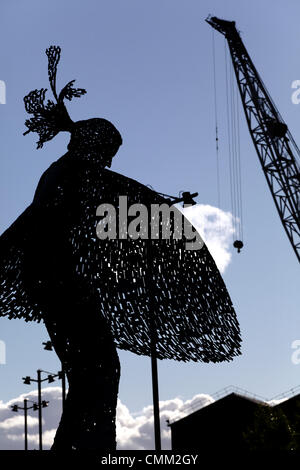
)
(276, 149)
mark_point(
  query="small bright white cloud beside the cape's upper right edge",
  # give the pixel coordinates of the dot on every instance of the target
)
(216, 228)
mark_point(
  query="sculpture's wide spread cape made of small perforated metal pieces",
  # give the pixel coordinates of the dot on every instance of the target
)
(54, 240)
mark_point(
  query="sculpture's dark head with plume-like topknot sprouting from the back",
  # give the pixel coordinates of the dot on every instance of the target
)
(97, 138)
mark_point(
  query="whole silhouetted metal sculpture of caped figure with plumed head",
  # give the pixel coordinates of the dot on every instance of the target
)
(95, 295)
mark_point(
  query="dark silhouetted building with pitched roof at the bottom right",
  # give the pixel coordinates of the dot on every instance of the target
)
(225, 424)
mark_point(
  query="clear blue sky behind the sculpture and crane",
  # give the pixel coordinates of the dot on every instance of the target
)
(147, 67)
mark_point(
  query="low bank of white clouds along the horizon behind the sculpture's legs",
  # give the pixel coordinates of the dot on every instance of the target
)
(134, 430)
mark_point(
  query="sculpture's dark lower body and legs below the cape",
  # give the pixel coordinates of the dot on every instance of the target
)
(83, 342)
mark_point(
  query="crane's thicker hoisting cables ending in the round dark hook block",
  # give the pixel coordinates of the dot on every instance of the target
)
(233, 130)
